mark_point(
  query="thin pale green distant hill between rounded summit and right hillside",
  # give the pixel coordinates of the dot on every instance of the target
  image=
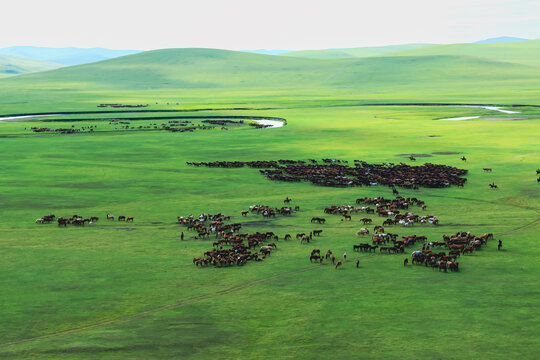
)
(353, 52)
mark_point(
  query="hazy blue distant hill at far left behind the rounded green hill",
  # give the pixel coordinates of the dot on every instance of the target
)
(65, 56)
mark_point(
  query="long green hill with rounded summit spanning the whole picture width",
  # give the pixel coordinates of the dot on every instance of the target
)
(211, 68)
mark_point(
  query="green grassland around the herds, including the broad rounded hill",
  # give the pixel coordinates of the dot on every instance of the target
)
(130, 290)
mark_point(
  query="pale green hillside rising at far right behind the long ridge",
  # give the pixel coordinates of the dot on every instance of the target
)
(519, 51)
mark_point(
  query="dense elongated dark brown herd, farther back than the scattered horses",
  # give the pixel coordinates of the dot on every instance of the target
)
(335, 173)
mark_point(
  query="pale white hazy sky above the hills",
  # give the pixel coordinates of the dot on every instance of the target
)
(267, 24)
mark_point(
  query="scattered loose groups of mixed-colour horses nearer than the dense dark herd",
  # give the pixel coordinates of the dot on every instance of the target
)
(232, 247)
